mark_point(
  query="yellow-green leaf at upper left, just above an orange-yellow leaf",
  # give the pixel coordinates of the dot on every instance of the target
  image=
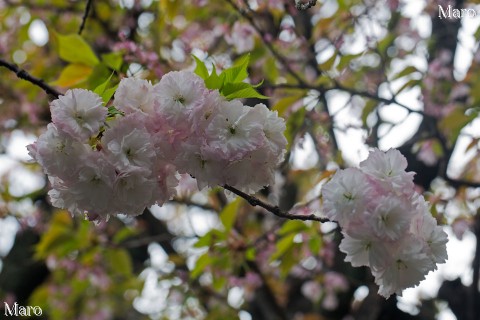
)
(73, 48)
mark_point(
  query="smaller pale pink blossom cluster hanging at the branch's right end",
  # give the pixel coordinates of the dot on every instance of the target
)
(386, 224)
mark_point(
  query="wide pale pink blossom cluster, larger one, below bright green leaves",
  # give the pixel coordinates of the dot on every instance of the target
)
(104, 163)
